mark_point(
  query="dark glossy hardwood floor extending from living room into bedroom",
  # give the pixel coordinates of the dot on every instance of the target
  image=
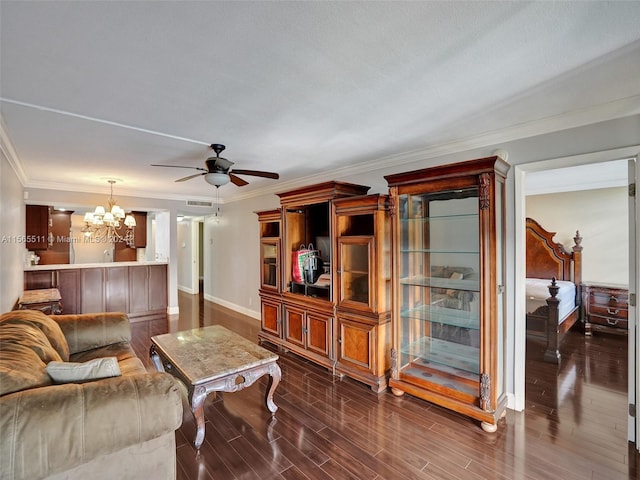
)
(574, 425)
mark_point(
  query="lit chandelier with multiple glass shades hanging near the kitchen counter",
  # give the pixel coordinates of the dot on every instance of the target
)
(105, 225)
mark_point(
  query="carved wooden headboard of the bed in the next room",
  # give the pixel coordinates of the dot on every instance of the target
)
(546, 258)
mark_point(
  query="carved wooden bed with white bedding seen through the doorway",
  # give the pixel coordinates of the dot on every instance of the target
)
(553, 287)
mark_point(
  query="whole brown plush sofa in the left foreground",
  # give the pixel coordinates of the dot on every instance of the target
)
(115, 427)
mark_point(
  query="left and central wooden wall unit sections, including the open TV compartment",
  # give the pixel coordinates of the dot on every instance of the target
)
(298, 314)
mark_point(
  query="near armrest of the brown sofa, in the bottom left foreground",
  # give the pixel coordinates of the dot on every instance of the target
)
(52, 429)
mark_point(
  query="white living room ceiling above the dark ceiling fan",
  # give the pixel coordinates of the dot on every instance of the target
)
(104, 89)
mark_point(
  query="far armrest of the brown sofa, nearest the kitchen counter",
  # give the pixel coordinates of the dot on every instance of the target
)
(86, 331)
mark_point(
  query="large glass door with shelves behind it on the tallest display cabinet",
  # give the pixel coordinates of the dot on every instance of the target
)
(439, 289)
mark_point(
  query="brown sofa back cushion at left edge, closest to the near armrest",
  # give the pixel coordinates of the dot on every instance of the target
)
(20, 369)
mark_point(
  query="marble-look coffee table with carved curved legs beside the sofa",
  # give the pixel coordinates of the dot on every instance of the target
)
(213, 359)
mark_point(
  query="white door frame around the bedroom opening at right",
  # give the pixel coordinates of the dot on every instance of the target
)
(519, 324)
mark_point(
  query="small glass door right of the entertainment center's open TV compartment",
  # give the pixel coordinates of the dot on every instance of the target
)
(355, 270)
